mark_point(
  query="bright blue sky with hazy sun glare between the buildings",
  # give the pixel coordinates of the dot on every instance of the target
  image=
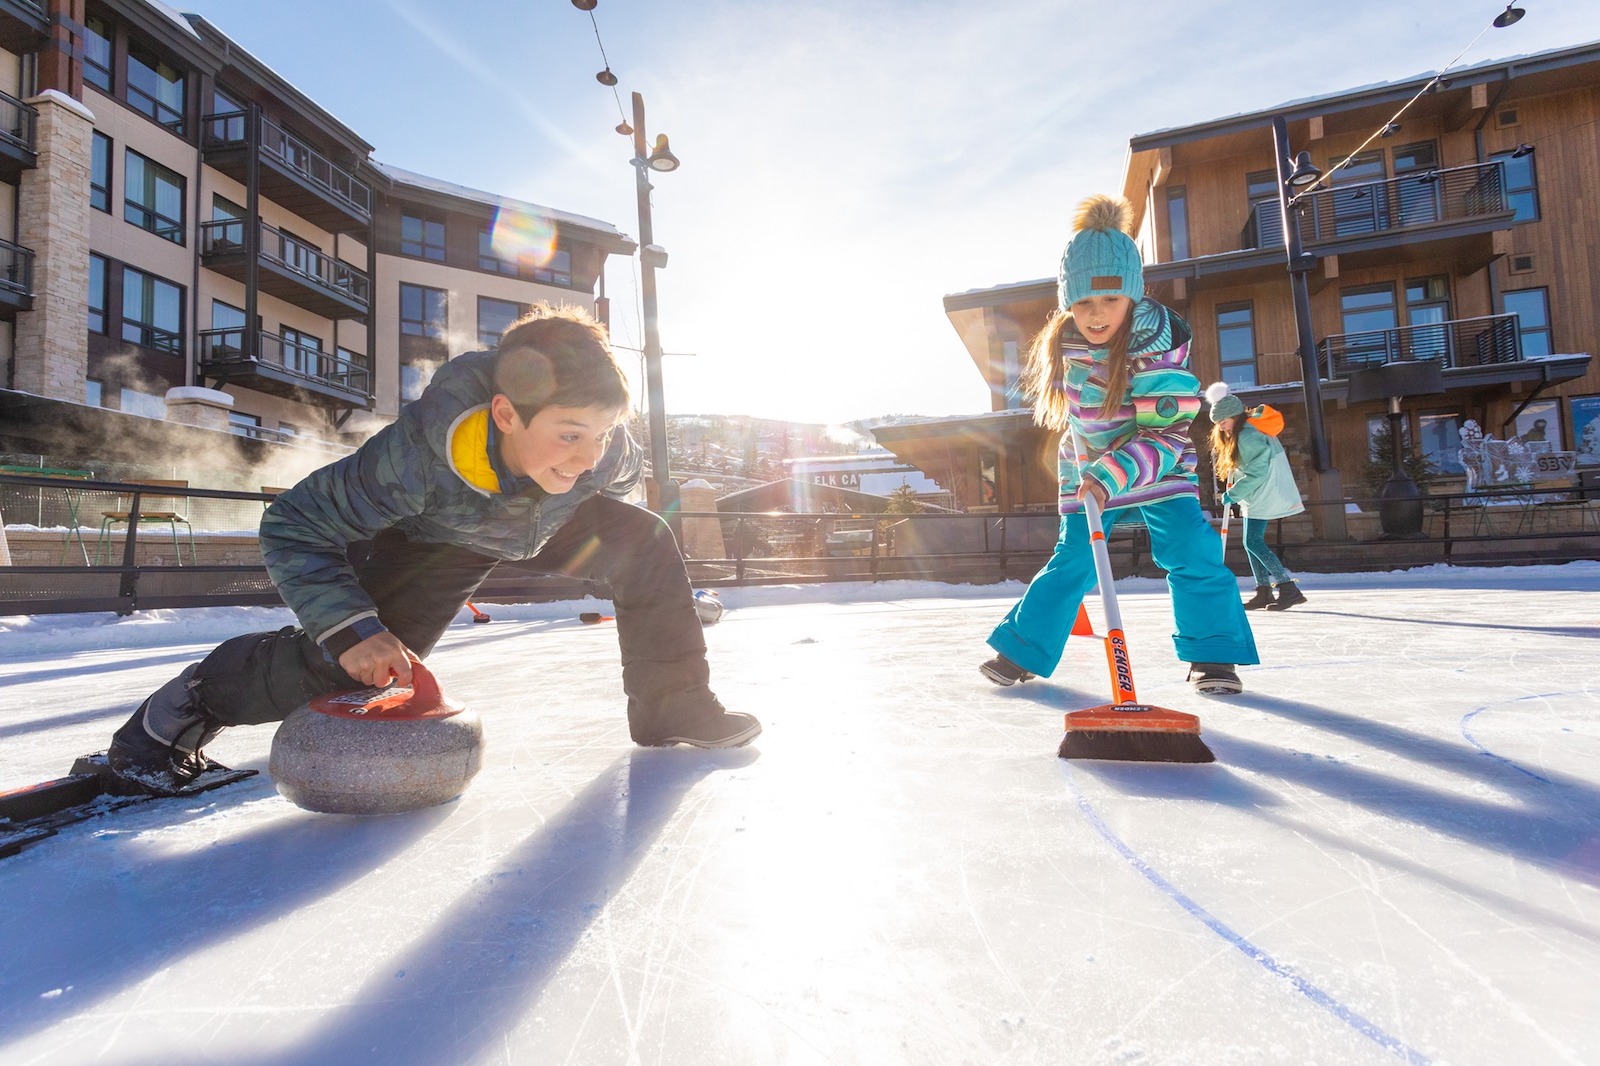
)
(846, 164)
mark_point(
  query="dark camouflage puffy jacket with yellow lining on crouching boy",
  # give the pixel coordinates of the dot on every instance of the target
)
(412, 478)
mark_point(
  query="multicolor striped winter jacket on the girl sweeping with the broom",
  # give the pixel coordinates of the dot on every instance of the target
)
(1143, 452)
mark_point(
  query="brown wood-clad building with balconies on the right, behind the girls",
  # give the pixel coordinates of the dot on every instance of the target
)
(1460, 238)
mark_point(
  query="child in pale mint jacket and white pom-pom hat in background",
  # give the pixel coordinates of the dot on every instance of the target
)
(1262, 483)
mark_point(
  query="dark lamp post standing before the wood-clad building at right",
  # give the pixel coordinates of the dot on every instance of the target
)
(1327, 489)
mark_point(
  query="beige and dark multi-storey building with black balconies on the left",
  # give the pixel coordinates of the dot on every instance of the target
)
(190, 244)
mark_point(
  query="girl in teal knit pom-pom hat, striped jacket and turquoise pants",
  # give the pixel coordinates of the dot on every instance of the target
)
(1114, 367)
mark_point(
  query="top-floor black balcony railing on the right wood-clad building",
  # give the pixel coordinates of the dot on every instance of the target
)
(1398, 204)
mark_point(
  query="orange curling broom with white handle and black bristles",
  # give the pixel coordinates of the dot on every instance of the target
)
(1126, 729)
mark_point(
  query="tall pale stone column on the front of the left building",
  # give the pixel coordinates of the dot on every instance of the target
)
(54, 209)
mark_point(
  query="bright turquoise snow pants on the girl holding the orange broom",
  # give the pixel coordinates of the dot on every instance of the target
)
(1212, 623)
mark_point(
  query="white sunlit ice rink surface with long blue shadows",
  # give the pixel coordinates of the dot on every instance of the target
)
(1394, 859)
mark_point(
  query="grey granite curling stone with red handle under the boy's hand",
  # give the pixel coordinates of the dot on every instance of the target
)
(377, 751)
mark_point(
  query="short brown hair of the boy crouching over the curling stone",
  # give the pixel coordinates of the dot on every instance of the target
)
(558, 356)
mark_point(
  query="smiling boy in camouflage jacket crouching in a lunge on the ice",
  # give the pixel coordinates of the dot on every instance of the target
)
(511, 455)
